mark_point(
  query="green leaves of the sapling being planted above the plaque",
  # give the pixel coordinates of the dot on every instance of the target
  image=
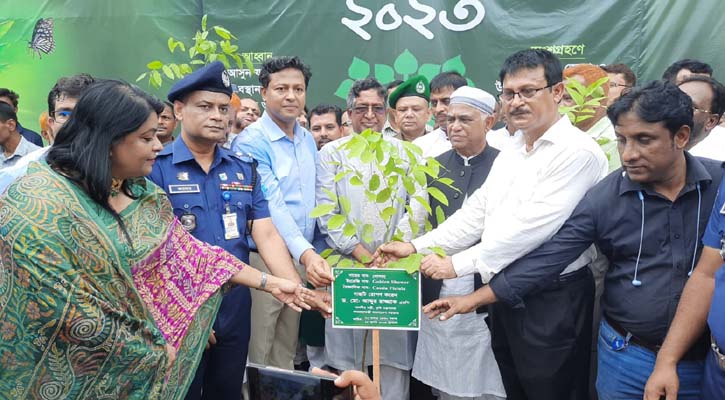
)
(391, 171)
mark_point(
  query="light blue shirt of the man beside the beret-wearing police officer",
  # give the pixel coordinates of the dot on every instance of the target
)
(287, 171)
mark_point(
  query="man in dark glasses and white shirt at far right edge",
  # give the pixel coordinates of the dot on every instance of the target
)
(708, 100)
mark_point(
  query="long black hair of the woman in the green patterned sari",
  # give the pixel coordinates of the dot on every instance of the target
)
(105, 114)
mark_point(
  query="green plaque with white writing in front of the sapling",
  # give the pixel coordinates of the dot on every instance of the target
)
(375, 299)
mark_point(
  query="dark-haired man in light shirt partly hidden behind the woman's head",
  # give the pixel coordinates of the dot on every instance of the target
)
(62, 99)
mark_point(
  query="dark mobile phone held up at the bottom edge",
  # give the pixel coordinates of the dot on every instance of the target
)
(269, 383)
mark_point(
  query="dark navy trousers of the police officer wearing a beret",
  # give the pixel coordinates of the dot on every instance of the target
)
(221, 371)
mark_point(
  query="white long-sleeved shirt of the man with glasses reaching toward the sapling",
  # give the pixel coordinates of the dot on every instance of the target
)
(526, 198)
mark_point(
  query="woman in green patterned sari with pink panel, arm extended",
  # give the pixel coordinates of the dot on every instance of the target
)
(102, 293)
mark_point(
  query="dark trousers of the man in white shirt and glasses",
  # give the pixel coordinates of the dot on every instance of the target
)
(544, 349)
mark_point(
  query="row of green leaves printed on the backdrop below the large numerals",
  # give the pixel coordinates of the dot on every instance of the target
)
(404, 66)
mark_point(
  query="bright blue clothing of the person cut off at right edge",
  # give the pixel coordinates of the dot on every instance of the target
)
(713, 380)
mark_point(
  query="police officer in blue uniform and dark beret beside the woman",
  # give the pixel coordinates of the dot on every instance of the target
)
(216, 196)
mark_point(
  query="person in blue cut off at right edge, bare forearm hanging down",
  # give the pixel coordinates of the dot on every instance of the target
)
(702, 303)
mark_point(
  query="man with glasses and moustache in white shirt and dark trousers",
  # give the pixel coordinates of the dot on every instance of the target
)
(543, 352)
